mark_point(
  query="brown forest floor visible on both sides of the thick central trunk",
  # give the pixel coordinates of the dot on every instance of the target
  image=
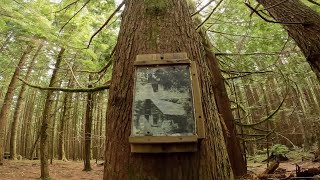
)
(60, 170)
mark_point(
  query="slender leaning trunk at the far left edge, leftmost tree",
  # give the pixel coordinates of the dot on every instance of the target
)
(8, 99)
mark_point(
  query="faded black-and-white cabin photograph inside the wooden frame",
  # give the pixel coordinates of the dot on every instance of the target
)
(163, 102)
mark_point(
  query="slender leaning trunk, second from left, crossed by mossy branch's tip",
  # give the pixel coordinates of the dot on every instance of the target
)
(17, 111)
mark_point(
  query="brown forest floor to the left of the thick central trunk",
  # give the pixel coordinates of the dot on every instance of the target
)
(59, 170)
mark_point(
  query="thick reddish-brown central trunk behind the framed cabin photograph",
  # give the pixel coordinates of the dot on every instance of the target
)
(160, 27)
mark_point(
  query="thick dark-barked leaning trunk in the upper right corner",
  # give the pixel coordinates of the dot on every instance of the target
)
(306, 34)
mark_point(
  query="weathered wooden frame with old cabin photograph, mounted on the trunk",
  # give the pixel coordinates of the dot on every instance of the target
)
(167, 108)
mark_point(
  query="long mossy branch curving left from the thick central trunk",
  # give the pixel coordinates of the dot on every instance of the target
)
(94, 89)
